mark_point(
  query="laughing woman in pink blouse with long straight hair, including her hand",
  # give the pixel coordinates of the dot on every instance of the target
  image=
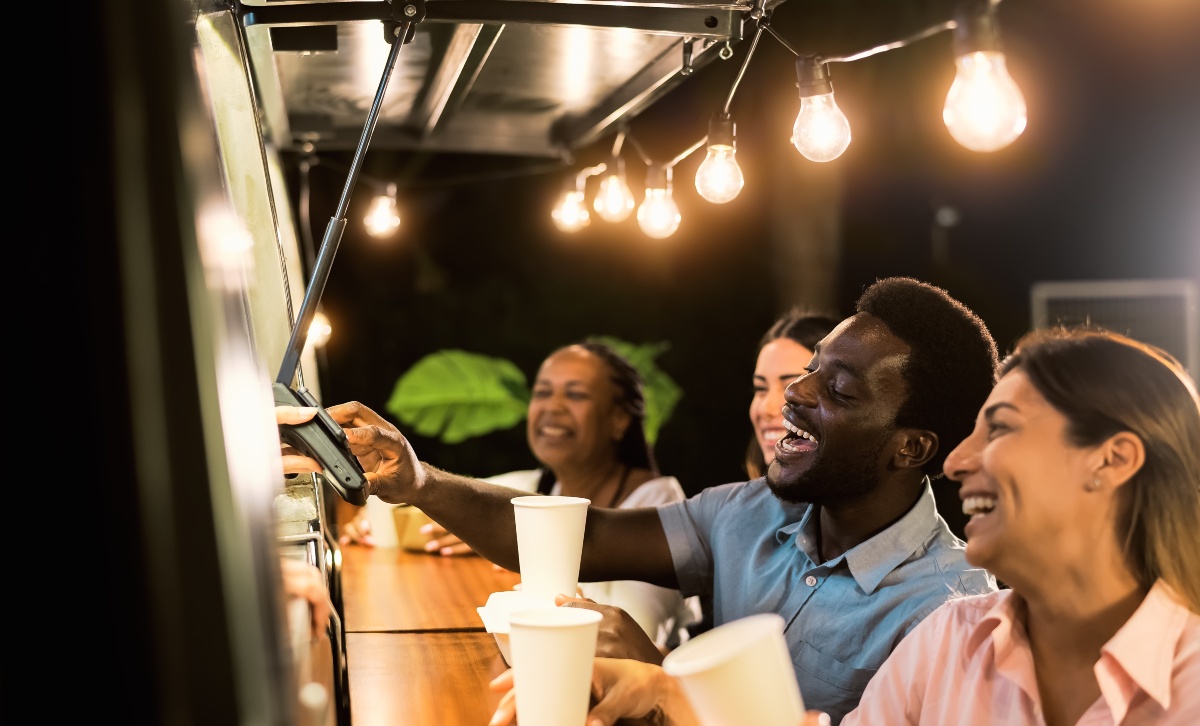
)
(1083, 484)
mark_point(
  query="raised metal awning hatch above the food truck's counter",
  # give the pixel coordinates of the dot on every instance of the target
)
(512, 77)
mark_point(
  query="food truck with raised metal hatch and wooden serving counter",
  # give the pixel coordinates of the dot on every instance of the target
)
(197, 285)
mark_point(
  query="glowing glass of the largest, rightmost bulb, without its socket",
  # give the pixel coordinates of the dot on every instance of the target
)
(985, 110)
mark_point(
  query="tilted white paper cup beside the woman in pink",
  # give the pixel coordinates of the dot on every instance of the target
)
(740, 674)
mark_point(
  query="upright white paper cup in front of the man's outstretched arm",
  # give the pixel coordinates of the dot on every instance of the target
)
(550, 542)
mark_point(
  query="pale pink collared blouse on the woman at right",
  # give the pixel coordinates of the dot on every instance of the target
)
(970, 663)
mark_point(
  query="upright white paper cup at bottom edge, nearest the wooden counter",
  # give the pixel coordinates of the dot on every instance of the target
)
(553, 651)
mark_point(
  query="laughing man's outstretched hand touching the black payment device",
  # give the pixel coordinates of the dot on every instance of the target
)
(392, 469)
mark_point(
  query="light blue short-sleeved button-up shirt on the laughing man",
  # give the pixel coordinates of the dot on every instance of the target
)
(757, 555)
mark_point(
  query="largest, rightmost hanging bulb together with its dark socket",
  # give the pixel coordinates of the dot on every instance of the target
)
(985, 110)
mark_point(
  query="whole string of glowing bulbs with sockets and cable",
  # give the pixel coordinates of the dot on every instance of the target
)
(985, 111)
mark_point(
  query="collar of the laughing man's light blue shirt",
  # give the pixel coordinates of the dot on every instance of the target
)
(873, 560)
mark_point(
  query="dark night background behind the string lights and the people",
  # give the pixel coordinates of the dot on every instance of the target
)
(1105, 184)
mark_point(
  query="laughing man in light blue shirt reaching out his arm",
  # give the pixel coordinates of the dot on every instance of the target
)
(842, 538)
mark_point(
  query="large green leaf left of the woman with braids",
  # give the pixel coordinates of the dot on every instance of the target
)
(455, 395)
